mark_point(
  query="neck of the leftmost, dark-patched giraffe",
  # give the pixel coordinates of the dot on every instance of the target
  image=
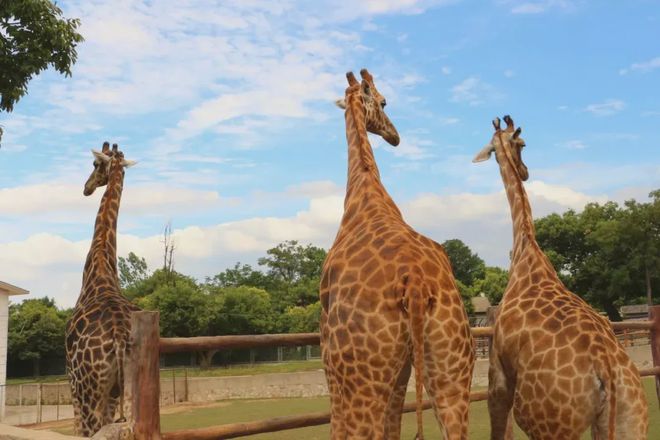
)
(102, 256)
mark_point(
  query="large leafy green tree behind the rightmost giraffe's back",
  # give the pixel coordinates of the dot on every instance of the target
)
(607, 254)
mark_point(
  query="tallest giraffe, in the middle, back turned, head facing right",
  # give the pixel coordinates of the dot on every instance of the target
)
(388, 296)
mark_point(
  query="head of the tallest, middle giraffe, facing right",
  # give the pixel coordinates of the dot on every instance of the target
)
(374, 106)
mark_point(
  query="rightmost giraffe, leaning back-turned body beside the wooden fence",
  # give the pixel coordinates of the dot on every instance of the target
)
(554, 360)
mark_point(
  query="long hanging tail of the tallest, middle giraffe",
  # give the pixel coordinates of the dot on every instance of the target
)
(416, 312)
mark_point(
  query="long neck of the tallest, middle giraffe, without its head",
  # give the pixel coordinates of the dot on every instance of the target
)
(364, 186)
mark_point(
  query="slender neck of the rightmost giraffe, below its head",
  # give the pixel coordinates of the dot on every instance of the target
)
(524, 234)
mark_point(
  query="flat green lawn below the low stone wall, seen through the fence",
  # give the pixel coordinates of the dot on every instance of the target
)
(233, 411)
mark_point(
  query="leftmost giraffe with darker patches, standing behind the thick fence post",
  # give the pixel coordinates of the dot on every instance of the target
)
(98, 331)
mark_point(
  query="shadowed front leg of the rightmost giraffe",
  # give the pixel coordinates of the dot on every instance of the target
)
(500, 400)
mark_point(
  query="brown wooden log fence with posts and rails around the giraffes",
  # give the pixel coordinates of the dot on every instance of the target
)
(142, 375)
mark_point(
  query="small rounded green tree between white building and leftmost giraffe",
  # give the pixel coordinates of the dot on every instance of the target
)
(36, 331)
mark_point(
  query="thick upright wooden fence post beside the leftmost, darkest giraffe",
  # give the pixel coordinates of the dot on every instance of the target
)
(144, 380)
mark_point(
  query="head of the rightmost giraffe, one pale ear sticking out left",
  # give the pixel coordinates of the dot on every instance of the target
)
(507, 145)
